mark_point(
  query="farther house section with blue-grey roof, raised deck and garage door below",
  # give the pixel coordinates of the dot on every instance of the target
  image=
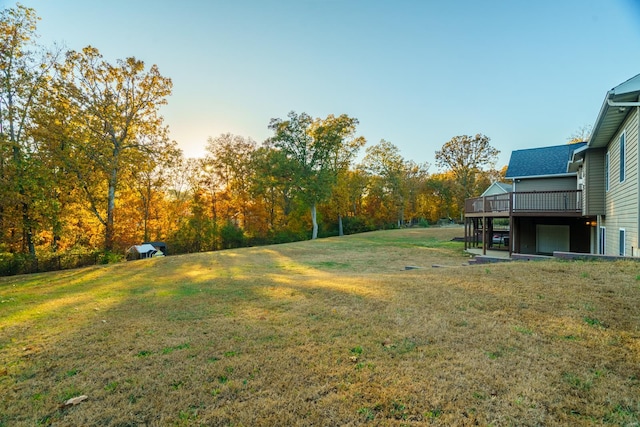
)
(544, 205)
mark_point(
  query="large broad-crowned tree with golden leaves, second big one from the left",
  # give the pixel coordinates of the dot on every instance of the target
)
(114, 124)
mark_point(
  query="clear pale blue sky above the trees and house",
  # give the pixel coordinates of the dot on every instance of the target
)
(413, 72)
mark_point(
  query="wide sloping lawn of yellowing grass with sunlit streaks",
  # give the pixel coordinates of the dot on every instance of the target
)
(327, 332)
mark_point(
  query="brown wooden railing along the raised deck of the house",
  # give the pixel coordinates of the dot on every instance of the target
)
(543, 202)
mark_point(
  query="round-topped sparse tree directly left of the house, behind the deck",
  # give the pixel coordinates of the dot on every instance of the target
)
(465, 156)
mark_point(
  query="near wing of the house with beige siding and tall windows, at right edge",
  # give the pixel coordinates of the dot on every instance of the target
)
(608, 171)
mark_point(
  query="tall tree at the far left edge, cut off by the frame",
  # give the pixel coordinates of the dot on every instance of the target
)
(24, 73)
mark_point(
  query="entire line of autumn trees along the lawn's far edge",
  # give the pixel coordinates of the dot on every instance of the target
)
(87, 163)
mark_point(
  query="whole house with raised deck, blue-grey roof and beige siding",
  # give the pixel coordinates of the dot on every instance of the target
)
(582, 197)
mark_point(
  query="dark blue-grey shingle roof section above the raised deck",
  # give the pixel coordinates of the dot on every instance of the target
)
(541, 161)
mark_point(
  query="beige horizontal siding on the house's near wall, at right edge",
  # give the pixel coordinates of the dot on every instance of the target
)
(622, 199)
